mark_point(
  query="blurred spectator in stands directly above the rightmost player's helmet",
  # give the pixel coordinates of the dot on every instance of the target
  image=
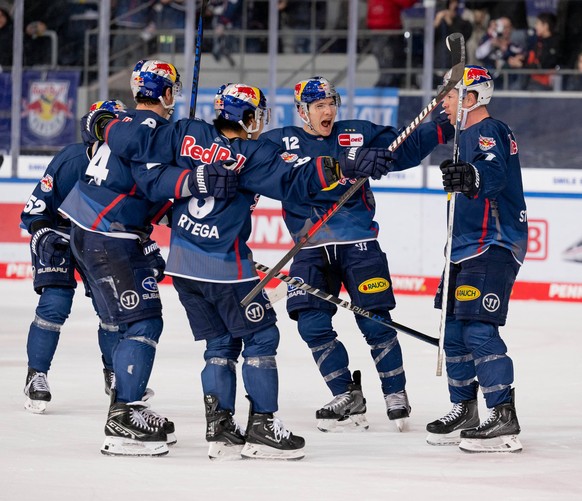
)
(497, 51)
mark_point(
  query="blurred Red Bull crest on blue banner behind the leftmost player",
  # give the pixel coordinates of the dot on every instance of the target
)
(48, 107)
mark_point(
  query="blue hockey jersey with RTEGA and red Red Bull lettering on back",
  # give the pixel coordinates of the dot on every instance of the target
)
(209, 236)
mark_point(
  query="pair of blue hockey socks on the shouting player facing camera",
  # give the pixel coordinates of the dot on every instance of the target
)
(331, 357)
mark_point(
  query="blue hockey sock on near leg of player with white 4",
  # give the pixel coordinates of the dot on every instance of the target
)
(133, 358)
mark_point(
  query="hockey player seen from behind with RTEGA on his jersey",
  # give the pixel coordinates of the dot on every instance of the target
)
(211, 263)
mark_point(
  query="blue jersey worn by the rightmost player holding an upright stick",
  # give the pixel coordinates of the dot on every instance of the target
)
(497, 216)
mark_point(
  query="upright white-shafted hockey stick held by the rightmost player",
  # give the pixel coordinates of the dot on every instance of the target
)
(450, 220)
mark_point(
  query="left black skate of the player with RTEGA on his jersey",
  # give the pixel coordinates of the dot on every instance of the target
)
(223, 433)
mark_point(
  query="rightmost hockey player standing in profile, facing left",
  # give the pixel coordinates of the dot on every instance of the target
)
(489, 243)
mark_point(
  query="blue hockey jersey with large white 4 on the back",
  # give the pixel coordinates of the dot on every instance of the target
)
(108, 200)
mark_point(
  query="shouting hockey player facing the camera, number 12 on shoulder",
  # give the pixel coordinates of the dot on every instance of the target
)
(346, 251)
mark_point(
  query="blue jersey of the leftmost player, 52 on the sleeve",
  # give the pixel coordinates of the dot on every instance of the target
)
(61, 174)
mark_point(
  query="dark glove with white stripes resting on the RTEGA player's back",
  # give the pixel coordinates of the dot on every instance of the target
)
(213, 180)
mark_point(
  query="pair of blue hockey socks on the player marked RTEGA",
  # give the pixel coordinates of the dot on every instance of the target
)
(259, 369)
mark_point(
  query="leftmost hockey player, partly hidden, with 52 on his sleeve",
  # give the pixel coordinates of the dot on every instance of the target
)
(54, 268)
